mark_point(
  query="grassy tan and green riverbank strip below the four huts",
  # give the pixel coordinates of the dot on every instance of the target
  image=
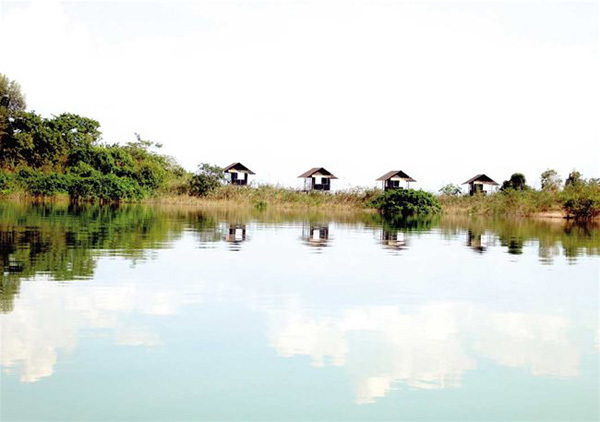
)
(520, 204)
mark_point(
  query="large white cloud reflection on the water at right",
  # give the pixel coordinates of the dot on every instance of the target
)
(426, 348)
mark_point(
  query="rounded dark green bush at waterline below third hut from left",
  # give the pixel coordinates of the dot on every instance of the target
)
(406, 203)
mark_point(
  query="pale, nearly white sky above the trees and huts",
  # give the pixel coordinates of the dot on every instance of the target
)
(441, 90)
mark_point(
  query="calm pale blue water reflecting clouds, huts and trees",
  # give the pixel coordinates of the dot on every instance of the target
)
(181, 314)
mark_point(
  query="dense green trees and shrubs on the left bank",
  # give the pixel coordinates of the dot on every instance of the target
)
(65, 154)
